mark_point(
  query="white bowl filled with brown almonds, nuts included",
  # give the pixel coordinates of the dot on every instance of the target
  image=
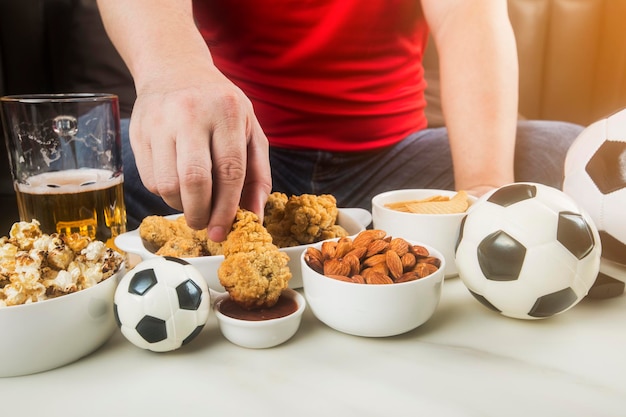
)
(372, 284)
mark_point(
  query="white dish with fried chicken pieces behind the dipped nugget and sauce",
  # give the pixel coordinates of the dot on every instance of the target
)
(294, 223)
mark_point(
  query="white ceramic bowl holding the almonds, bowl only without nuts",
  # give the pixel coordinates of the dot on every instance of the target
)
(373, 310)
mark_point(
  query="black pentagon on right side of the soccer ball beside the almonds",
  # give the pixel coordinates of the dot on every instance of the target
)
(575, 234)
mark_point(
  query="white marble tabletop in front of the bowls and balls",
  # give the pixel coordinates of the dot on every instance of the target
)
(466, 361)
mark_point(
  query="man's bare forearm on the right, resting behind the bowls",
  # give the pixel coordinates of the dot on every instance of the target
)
(479, 87)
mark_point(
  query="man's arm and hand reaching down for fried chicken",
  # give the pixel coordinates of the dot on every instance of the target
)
(195, 138)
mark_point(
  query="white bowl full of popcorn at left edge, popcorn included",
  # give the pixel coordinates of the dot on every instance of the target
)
(53, 315)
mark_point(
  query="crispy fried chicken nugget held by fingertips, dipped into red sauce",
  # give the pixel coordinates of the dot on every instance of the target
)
(254, 271)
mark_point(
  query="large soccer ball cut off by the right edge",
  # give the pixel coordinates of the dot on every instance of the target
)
(595, 177)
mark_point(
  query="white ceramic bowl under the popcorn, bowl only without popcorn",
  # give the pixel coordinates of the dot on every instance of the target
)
(48, 334)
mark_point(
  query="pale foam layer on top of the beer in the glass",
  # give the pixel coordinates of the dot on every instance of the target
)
(70, 181)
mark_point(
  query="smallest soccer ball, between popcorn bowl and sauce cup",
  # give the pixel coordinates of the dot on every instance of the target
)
(162, 304)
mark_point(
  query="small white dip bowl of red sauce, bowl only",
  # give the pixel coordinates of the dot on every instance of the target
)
(260, 334)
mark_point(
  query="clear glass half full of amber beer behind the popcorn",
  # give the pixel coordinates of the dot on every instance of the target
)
(65, 154)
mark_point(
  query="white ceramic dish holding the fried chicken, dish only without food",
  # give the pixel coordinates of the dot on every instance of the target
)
(352, 219)
